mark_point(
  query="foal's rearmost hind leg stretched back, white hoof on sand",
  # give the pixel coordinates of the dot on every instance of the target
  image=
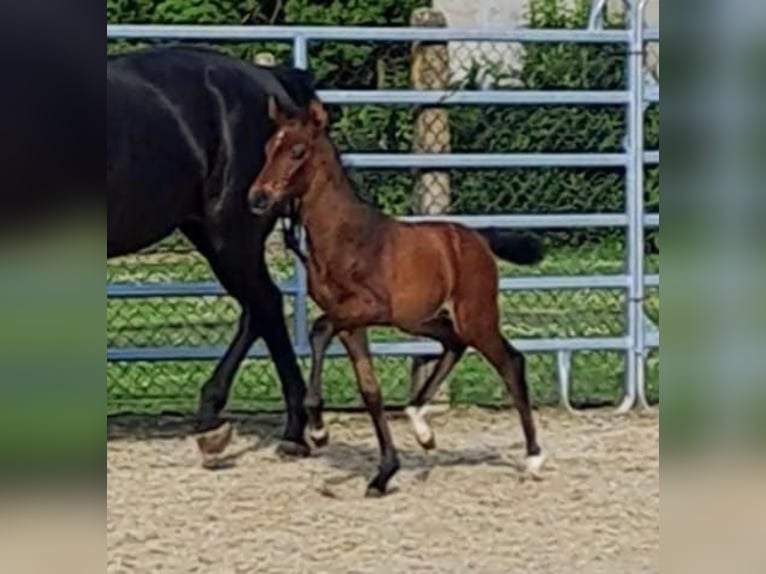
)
(511, 365)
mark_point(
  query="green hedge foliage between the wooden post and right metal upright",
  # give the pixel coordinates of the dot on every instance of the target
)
(550, 129)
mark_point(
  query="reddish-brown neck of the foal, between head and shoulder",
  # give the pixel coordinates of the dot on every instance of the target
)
(330, 210)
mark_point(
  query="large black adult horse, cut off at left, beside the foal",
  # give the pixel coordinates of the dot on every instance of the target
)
(186, 129)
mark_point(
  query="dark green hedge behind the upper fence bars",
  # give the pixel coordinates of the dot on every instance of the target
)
(524, 129)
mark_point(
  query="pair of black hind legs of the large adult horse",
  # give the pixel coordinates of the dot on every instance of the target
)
(237, 259)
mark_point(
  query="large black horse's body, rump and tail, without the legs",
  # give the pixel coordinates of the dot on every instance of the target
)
(186, 129)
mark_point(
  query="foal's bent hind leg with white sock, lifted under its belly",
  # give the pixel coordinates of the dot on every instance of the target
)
(442, 330)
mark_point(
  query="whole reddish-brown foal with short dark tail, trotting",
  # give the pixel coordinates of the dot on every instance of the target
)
(437, 280)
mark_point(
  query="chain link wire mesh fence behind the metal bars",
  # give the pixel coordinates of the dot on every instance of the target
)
(154, 386)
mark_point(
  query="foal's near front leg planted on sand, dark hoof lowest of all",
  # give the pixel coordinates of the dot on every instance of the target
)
(357, 346)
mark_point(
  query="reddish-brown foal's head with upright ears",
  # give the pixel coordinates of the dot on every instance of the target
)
(287, 173)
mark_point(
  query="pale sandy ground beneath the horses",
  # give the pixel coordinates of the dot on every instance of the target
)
(464, 508)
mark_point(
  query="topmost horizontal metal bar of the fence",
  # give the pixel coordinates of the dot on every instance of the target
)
(358, 34)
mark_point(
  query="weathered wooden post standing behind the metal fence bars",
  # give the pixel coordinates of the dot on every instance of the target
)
(430, 71)
